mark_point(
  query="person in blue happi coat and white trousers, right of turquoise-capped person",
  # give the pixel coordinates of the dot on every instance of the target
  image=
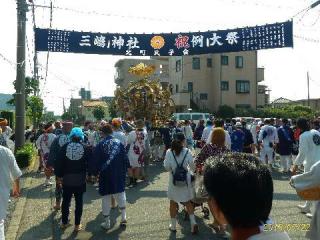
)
(111, 162)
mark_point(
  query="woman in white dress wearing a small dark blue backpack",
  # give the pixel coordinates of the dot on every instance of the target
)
(179, 161)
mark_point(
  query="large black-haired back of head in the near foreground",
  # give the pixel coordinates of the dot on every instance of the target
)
(240, 188)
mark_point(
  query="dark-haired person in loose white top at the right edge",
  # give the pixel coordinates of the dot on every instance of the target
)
(309, 153)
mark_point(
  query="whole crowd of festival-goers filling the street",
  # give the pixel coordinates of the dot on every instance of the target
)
(212, 161)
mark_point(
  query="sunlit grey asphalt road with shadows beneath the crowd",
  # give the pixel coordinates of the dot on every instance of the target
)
(147, 212)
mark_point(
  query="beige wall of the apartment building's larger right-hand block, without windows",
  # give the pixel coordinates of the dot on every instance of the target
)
(206, 80)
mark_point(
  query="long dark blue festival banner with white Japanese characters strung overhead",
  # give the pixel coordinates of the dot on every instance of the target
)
(269, 36)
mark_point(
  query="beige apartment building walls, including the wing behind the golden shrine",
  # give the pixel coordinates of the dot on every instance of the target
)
(205, 81)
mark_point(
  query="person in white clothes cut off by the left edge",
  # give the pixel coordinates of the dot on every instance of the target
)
(9, 172)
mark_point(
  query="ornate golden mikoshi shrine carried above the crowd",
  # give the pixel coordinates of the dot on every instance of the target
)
(144, 98)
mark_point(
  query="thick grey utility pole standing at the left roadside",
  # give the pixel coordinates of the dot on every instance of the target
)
(20, 78)
